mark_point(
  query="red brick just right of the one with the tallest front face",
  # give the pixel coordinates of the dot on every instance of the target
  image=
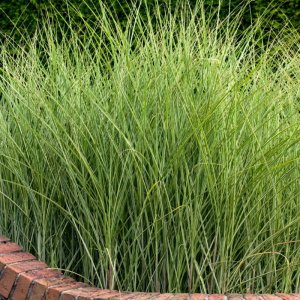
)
(25, 280)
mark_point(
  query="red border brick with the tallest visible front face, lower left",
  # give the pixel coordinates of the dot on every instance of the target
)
(11, 272)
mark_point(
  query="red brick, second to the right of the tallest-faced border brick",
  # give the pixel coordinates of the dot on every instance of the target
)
(40, 286)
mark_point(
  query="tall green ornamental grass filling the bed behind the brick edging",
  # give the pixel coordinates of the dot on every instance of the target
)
(157, 157)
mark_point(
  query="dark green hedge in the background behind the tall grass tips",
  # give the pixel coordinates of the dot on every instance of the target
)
(27, 13)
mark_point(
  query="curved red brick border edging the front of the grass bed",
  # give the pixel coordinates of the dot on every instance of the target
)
(23, 277)
